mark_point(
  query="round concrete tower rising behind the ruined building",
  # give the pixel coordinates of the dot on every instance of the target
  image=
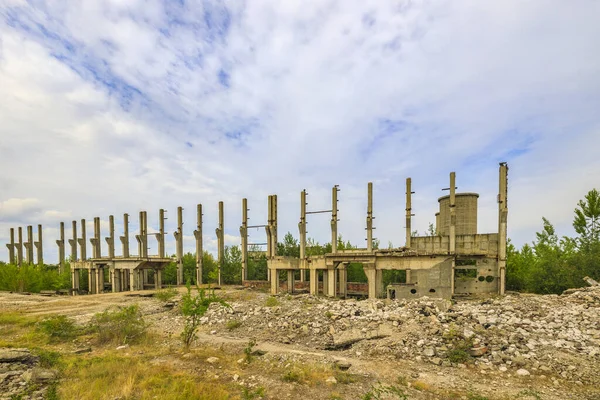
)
(466, 214)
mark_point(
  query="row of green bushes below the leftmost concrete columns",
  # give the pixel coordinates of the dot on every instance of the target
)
(33, 278)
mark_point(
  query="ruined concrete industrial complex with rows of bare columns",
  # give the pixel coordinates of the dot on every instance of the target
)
(455, 260)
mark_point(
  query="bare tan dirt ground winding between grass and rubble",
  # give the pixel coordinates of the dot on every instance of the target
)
(373, 376)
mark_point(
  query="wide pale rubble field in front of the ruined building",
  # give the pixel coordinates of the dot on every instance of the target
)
(547, 335)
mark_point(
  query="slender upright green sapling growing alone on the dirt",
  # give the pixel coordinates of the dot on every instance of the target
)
(193, 307)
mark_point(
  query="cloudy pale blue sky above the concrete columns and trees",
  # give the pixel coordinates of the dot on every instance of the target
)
(116, 106)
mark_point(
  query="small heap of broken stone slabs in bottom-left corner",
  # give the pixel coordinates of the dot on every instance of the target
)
(21, 377)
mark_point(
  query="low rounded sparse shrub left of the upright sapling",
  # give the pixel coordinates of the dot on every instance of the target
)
(123, 325)
